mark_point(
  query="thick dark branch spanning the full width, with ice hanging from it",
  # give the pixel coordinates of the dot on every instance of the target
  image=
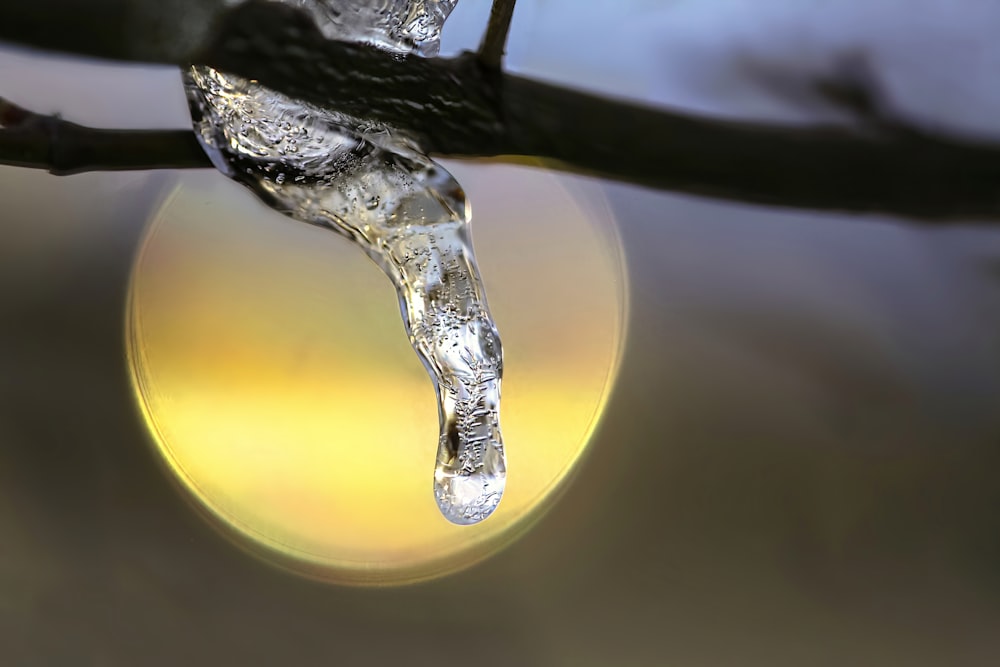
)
(457, 107)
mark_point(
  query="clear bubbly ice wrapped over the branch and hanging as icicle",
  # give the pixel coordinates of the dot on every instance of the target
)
(410, 216)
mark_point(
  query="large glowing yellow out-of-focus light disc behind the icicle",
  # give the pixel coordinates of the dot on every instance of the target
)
(270, 361)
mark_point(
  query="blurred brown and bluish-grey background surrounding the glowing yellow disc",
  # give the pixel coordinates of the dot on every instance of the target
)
(797, 463)
